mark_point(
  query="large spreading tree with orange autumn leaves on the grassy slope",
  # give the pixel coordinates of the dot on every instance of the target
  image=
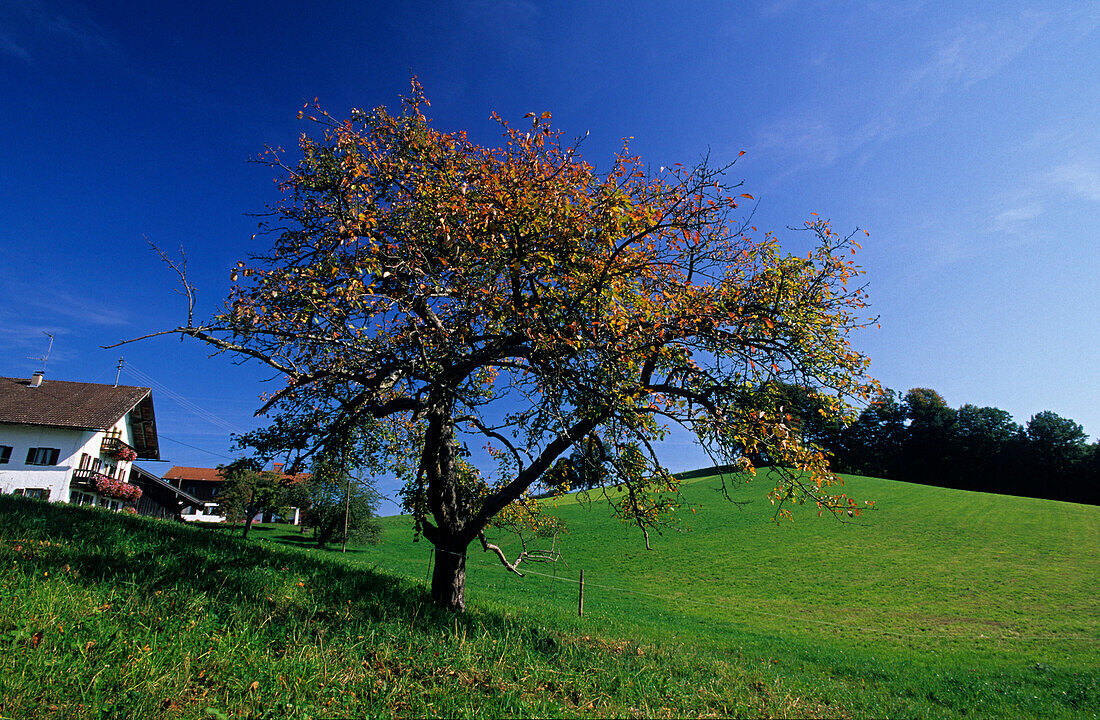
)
(434, 292)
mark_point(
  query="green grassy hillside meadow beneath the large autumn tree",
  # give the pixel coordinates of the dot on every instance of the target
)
(939, 604)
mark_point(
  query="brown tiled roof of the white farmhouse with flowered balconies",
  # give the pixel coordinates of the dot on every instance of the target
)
(61, 404)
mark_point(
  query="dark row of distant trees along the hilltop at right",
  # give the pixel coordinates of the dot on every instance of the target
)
(919, 438)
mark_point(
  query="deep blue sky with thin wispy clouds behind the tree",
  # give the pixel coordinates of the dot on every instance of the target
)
(963, 137)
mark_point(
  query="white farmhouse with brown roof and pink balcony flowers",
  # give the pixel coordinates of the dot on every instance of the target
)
(74, 442)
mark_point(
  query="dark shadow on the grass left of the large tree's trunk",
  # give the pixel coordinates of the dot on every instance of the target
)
(155, 557)
